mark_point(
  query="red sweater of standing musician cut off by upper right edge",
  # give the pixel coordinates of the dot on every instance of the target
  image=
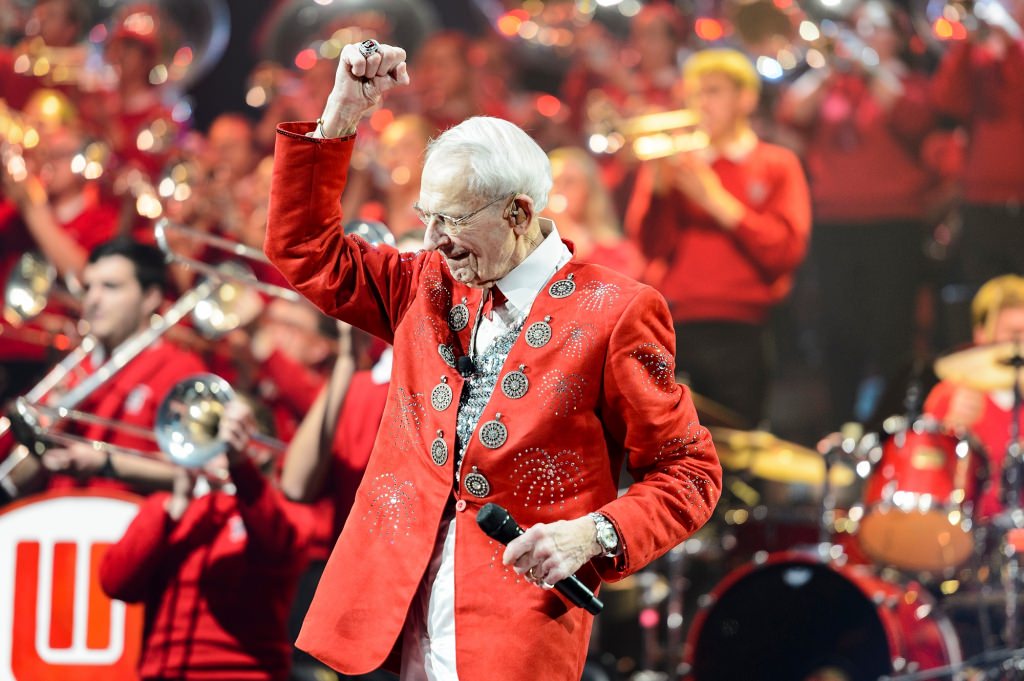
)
(988, 96)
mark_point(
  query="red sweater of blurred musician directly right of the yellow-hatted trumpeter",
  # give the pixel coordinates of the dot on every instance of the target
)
(863, 160)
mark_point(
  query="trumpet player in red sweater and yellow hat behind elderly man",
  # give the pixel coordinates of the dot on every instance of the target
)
(724, 229)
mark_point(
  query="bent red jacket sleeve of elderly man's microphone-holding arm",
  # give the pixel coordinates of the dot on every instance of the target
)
(670, 454)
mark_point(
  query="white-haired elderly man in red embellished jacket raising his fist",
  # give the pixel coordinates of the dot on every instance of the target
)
(521, 377)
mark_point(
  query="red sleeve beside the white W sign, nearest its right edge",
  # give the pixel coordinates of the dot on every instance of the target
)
(130, 566)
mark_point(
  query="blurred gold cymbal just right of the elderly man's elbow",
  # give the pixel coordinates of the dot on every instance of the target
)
(773, 459)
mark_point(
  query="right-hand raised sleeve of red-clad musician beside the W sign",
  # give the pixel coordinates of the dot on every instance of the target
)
(275, 531)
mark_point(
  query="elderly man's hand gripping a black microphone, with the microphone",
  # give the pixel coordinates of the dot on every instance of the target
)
(548, 552)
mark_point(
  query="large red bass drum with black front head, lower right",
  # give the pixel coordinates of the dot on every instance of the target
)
(796, 619)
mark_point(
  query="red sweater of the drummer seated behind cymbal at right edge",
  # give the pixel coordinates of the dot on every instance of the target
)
(993, 432)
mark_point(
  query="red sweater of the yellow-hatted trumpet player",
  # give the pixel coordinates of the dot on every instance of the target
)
(716, 274)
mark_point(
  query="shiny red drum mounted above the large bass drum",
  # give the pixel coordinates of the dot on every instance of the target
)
(920, 498)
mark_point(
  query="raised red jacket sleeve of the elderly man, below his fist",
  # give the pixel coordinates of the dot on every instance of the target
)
(369, 287)
